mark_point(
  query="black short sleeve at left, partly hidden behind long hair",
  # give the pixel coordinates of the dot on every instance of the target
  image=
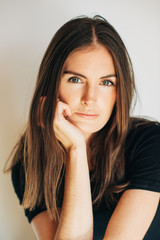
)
(18, 181)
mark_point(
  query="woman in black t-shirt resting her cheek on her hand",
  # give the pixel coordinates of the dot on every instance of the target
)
(84, 169)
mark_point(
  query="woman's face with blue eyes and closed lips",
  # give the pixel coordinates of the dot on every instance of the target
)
(88, 86)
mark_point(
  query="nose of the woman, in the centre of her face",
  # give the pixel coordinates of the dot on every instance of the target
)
(89, 95)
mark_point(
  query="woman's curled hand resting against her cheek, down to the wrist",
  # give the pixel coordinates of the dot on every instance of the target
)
(66, 132)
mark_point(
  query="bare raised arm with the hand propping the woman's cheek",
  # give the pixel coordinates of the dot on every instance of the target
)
(76, 218)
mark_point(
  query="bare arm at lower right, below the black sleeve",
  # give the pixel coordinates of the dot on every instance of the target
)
(133, 215)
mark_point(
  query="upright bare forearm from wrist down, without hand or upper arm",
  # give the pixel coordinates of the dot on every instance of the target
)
(76, 219)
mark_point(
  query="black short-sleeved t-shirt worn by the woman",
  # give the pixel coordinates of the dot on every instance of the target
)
(142, 169)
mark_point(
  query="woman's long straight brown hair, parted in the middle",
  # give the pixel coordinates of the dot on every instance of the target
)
(42, 155)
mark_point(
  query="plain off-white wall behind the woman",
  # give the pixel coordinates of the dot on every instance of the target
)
(26, 28)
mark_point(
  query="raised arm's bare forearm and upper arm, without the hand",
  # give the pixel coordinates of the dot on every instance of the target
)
(76, 220)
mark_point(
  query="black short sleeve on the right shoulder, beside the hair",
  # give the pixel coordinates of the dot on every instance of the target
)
(143, 158)
